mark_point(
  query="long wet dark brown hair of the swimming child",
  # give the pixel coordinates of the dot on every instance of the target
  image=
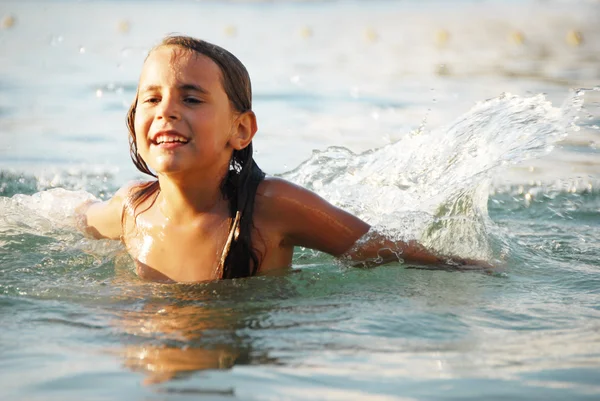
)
(241, 182)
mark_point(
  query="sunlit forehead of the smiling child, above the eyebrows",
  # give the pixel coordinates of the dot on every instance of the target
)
(178, 65)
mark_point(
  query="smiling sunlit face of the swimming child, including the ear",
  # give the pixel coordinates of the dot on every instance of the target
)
(183, 119)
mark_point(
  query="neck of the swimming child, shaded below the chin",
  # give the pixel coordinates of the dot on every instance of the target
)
(181, 200)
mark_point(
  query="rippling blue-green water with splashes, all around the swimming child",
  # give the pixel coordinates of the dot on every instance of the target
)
(454, 124)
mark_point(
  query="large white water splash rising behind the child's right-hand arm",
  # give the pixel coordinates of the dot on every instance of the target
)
(433, 186)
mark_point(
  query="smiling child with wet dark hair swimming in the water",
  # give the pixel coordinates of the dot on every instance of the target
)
(211, 213)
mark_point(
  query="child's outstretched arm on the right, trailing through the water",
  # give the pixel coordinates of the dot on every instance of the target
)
(308, 220)
